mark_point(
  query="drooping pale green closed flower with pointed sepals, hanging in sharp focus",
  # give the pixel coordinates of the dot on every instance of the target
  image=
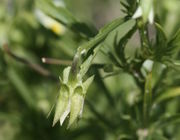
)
(71, 98)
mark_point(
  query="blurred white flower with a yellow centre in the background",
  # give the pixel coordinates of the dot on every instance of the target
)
(50, 23)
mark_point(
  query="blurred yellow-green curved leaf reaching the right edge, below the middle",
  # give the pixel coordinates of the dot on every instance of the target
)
(170, 93)
